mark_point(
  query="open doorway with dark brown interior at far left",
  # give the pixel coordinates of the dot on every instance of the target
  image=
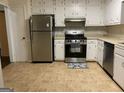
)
(5, 59)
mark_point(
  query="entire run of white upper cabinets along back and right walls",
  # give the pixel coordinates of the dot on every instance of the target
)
(96, 12)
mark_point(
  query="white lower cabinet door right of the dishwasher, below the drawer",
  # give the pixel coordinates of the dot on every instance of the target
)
(119, 70)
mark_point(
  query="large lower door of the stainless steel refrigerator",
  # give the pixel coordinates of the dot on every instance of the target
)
(42, 46)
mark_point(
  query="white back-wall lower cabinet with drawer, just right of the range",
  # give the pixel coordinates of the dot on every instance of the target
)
(91, 50)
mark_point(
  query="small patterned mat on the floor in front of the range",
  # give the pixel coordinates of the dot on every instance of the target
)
(77, 65)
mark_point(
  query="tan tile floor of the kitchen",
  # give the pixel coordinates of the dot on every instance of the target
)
(56, 77)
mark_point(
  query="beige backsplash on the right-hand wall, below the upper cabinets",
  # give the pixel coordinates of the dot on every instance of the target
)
(117, 31)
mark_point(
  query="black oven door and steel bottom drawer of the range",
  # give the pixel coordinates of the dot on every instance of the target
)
(75, 52)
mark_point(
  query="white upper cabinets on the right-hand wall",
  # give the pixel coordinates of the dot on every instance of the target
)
(114, 12)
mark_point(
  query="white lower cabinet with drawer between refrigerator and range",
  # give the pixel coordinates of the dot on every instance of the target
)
(59, 50)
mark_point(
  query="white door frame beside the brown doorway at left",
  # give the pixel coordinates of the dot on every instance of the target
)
(10, 18)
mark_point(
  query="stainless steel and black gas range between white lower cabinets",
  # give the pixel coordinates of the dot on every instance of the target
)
(75, 46)
